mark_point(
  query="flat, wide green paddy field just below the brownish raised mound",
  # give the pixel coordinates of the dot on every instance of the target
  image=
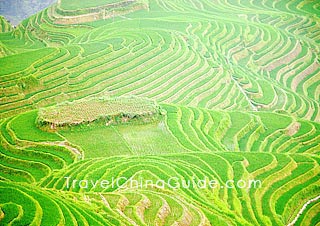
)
(135, 138)
